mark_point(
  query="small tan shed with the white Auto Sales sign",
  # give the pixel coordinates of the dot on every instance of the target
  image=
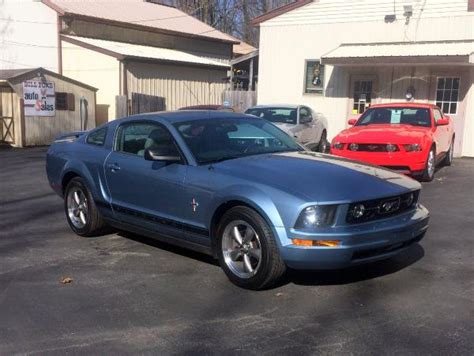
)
(37, 104)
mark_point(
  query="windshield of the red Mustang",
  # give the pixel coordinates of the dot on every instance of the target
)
(396, 116)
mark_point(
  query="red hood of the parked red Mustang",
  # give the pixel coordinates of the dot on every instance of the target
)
(383, 134)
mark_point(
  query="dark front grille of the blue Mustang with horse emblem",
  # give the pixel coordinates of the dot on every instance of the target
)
(382, 208)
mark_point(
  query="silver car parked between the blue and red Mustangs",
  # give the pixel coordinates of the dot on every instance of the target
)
(306, 126)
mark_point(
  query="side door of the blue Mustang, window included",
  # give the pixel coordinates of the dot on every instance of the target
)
(145, 193)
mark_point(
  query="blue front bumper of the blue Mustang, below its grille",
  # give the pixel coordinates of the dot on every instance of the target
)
(360, 243)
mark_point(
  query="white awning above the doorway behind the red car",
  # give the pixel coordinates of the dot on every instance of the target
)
(433, 52)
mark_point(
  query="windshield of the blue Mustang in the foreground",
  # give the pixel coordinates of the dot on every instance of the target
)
(214, 140)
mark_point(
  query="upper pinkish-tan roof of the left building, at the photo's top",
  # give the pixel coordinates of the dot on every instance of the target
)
(139, 13)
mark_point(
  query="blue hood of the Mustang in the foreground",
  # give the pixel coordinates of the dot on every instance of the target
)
(318, 177)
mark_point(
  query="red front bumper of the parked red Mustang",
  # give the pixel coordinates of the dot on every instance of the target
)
(403, 162)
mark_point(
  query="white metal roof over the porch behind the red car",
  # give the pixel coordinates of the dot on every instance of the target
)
(431, 49)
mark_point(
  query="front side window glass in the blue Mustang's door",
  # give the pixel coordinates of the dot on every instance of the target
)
(135, 138)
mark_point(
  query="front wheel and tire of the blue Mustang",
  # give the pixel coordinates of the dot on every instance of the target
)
(234, 256)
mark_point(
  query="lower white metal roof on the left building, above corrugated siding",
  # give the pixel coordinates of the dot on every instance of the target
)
(122, 50)
